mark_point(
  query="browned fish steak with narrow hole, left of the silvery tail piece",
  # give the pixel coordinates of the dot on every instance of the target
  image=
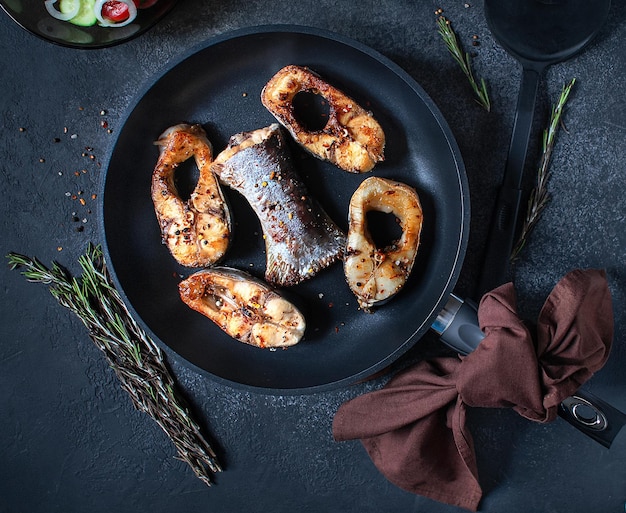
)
(197, 231)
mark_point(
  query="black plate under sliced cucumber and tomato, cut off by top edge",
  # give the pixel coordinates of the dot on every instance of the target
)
(33, 16)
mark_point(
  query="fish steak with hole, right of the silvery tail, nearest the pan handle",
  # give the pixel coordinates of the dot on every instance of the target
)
(376, 274)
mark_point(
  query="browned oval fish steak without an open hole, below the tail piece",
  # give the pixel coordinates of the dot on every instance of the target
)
(244, 307)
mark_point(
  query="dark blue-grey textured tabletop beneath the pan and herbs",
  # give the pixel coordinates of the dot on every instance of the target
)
(70, 439)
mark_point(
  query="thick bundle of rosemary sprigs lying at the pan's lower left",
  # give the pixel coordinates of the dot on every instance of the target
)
(136, 359)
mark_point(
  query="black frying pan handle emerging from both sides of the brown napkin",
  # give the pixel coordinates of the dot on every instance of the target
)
(458, 328)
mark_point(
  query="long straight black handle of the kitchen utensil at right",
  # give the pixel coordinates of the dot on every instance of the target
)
(504, 219)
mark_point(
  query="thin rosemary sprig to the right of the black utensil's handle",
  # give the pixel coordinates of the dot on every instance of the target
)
(539, 196)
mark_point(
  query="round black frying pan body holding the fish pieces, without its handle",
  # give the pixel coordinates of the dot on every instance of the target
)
(218, 86)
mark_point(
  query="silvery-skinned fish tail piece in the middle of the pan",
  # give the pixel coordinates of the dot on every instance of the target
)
(300, 237)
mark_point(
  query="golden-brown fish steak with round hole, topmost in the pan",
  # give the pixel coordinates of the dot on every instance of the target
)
(352, 139)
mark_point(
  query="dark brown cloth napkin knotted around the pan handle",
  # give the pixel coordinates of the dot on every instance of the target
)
(414, 428)
